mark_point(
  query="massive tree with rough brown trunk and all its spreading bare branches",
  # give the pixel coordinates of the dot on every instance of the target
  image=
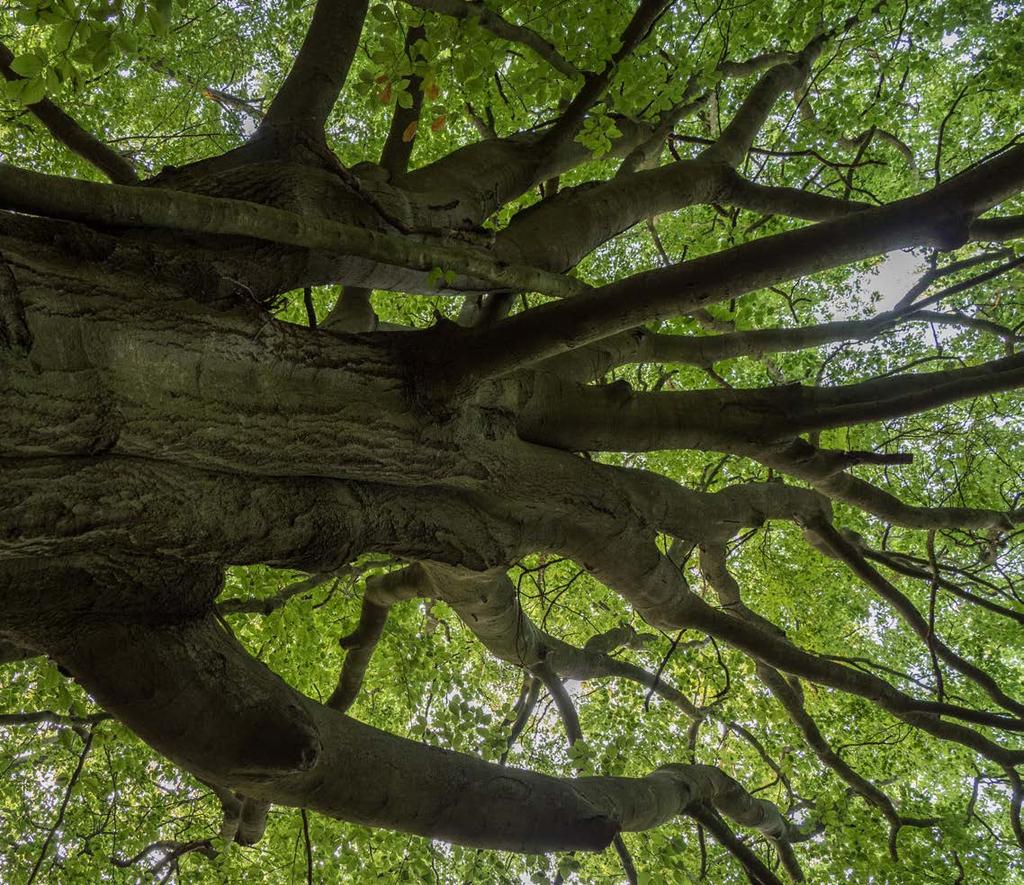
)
(159, 426)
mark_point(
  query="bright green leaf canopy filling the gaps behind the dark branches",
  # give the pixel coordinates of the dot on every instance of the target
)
(142, 74)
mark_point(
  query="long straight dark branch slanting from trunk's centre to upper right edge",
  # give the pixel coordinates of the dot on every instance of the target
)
(940, 218)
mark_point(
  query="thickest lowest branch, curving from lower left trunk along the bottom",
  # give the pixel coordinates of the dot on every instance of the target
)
(248, 732)
